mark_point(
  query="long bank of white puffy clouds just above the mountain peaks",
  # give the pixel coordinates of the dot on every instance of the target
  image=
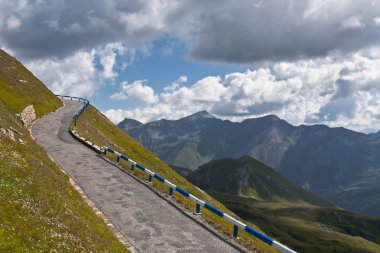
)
(337, 92)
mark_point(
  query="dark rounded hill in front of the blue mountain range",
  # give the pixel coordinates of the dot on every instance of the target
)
(247, 177)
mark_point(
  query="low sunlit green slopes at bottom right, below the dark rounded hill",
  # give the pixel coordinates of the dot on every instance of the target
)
(308, 228)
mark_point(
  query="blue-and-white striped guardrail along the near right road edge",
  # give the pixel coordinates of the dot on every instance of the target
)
(198, 203)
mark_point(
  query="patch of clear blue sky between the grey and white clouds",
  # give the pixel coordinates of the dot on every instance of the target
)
(161, 68)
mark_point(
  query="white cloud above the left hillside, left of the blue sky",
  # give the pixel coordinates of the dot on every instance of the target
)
(78, 74)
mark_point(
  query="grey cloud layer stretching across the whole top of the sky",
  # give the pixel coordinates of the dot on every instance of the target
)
(247, 31)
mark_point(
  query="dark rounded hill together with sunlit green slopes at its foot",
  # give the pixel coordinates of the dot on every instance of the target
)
(256, 192)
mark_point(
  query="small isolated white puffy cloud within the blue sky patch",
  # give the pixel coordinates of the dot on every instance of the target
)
(136, 90)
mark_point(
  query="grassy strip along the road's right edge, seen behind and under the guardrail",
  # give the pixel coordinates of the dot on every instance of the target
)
(96, 127)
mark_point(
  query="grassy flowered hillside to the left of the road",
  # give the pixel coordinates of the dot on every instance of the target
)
(40, 211)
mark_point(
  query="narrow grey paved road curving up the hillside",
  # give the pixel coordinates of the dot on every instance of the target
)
(148, 221)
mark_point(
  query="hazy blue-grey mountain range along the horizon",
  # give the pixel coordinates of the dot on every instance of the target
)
(337, 164)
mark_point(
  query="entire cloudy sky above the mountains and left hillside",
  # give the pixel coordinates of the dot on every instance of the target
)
(307, 61)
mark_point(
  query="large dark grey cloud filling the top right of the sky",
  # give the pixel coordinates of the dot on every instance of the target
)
(249, 31)
